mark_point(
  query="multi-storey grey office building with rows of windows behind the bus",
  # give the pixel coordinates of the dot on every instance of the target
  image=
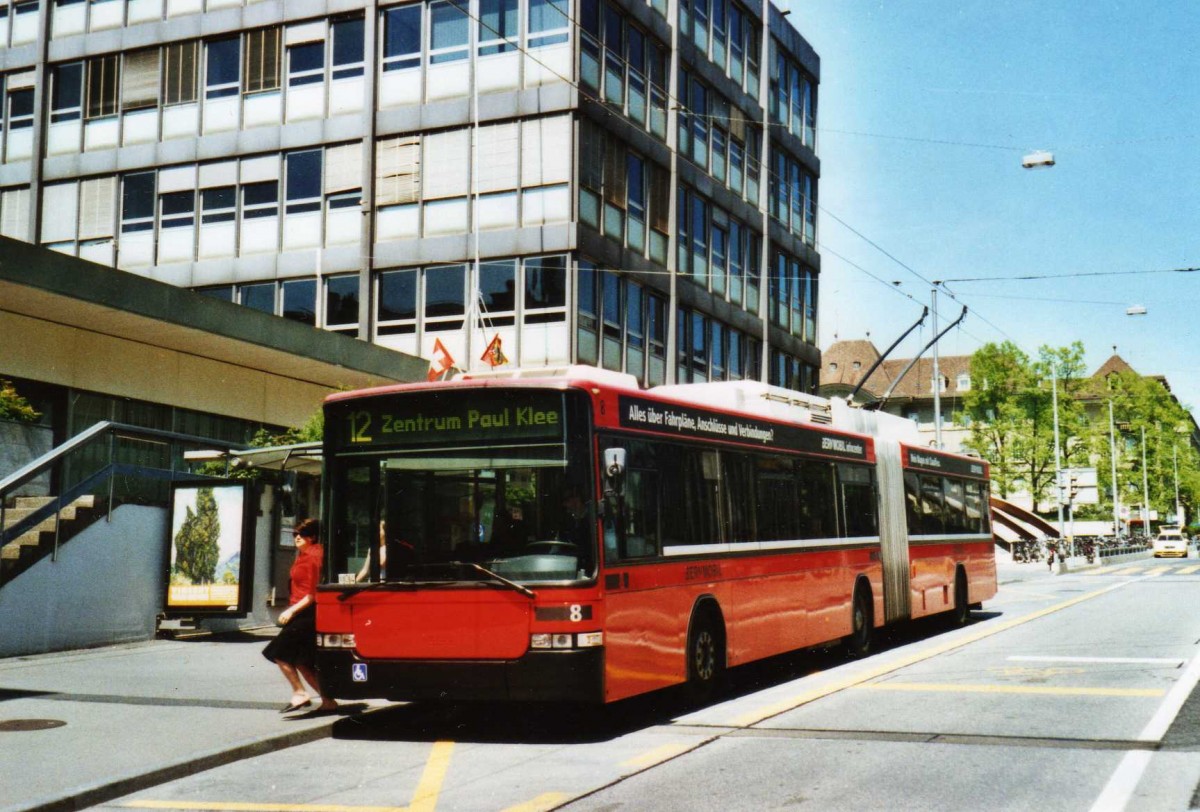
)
(517, 183)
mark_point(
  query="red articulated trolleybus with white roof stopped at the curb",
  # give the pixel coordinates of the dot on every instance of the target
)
(578, 539)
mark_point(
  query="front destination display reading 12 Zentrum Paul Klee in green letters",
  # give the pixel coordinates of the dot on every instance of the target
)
(440, 419)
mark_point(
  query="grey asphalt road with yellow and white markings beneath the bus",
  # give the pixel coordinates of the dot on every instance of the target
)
(1067, 693)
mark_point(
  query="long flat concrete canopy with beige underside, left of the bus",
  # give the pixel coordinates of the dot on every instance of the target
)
(74, 323)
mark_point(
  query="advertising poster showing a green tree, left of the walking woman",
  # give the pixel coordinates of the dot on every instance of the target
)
(207, 549)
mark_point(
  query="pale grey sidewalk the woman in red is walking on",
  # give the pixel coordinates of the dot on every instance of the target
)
(81, 727)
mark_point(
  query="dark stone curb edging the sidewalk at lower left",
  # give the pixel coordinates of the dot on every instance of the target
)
(100, 793)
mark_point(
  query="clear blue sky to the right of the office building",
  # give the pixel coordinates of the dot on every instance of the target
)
(926, 111)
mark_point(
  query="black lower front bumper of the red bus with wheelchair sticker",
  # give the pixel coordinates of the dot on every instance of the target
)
(556, 676)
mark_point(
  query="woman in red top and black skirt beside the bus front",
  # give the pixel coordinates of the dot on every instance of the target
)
(295, 649)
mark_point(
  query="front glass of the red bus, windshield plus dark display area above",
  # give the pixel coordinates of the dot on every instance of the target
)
(451, 509)
